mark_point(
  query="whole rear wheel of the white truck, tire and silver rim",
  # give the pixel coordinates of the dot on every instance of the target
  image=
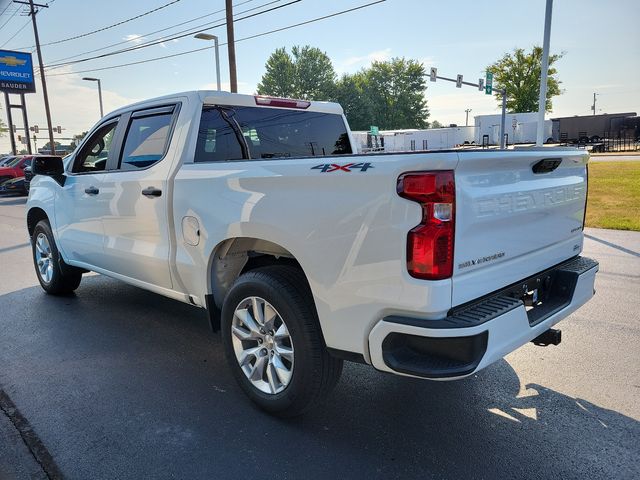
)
(273, 342)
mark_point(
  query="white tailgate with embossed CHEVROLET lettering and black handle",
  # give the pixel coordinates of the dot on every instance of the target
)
(512, 222)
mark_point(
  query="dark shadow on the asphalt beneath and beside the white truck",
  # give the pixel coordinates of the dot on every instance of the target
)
(122, 383)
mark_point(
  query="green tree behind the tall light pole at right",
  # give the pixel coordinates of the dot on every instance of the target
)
(519, 72)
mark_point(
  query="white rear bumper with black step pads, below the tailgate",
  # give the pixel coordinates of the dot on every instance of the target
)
(479, 333)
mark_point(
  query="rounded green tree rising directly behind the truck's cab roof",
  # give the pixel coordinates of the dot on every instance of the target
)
(306, 73)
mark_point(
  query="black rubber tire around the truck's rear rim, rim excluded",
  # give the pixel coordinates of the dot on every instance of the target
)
(315, 372)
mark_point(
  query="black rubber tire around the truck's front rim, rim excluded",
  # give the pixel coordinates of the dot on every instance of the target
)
(64, 278)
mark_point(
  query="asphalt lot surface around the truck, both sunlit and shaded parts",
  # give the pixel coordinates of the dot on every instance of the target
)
(116, 382)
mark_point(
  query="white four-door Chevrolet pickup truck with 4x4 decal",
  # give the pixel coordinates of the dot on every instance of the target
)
(304, 253)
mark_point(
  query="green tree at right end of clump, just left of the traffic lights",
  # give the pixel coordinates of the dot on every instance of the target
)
(396, 94)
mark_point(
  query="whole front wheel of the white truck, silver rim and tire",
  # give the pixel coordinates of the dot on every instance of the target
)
(54, 275)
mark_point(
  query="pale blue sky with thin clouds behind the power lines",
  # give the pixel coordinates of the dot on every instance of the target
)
(600, 41)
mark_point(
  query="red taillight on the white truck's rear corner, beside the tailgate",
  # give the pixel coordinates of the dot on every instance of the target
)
(430, 244)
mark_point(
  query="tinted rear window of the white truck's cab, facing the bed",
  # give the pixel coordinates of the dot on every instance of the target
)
(269, 133)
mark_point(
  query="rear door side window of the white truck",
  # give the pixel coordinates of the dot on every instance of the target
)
(146, 140)
